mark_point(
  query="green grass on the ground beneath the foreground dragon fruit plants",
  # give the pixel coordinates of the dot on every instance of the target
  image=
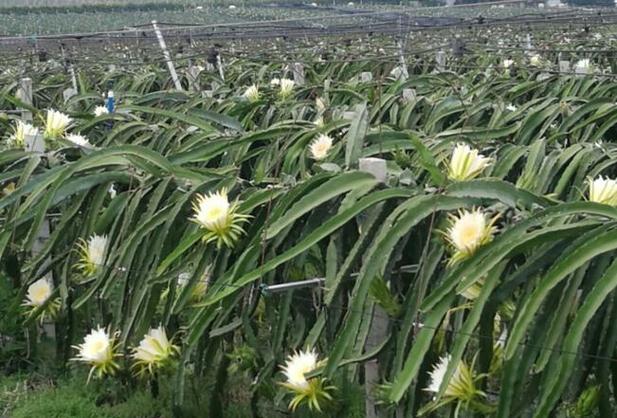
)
(30, 396)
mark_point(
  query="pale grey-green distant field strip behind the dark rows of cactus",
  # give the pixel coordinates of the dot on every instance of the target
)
(45, 18)
